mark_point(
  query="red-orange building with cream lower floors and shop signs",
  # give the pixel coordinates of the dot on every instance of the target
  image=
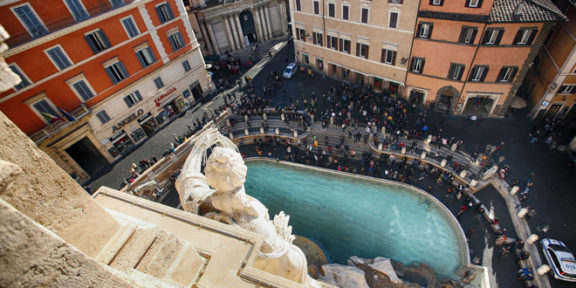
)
(98, 77)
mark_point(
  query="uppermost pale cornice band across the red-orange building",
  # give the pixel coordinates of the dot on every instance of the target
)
(70, 29)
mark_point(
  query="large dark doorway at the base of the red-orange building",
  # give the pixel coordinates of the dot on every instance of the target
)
(87, 156)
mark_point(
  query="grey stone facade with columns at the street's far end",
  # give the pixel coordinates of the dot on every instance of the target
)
(227, 26)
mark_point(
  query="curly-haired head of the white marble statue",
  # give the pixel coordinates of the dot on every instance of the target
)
(225, 169)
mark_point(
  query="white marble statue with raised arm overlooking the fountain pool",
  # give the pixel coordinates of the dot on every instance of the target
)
(221, 188)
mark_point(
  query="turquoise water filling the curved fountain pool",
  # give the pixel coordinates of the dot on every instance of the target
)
(351, 216)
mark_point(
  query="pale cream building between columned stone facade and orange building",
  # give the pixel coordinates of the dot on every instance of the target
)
(365, 42)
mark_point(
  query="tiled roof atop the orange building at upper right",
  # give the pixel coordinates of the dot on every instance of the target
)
(525, 11)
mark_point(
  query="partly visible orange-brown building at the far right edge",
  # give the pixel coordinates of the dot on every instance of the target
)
(552, 84)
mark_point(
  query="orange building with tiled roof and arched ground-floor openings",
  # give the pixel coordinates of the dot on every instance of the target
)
(469, 57)
